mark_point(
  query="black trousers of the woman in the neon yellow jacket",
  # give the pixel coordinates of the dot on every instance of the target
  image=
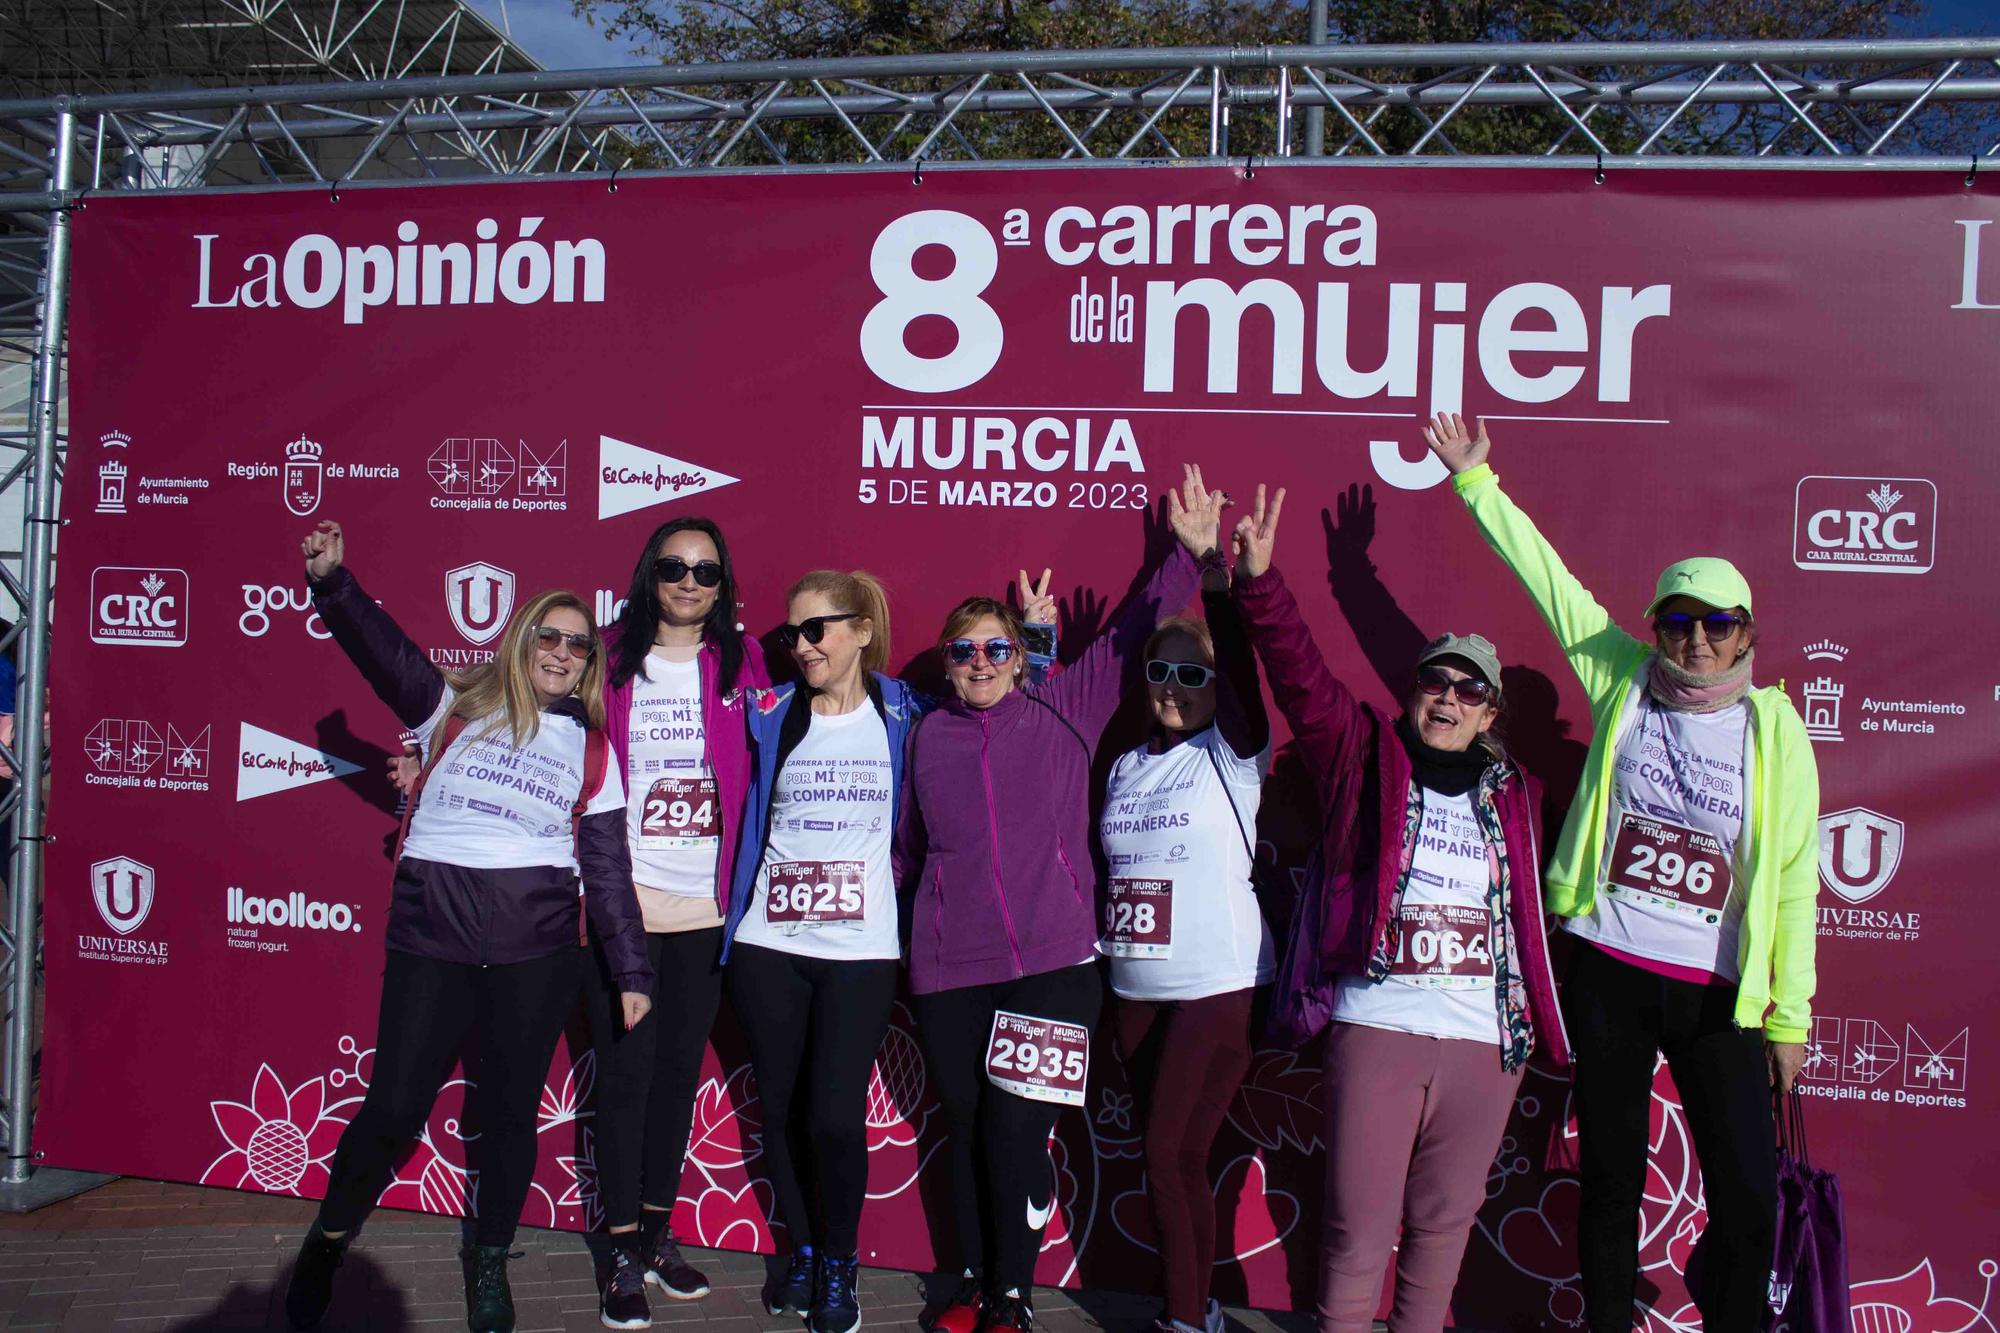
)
(1619, 1018)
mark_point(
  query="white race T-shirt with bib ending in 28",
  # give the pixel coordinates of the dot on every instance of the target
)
(1181, 918)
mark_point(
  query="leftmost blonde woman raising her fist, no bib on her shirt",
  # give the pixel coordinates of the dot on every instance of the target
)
(483, 916)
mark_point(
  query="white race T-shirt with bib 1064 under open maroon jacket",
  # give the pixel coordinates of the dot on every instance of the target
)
(1441, 984)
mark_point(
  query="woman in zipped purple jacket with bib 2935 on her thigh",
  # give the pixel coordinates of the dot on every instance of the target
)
(1003, 926)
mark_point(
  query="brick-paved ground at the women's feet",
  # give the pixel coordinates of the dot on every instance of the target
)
(139, 1256)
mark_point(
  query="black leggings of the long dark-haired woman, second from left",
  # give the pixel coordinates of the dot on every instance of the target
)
(649, 1076)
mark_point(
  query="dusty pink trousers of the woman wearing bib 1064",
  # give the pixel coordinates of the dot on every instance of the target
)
(1411, 1134)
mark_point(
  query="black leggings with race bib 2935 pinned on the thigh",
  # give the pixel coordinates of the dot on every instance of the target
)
(997, 1210)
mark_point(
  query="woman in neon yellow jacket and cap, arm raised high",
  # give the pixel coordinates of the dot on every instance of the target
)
(1689, 868)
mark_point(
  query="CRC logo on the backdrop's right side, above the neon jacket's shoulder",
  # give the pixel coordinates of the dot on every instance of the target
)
(1867, 525)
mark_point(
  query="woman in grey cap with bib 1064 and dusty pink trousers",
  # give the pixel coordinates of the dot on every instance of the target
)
(1421, 944)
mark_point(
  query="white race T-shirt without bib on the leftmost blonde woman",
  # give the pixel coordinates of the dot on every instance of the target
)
(491, 806)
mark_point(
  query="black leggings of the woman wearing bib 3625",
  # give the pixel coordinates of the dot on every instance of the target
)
(821, 1020)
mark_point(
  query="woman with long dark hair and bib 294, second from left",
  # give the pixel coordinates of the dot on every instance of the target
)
(677, 676)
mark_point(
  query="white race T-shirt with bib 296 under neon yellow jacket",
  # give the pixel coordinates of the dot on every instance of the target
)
(1667, 886)
